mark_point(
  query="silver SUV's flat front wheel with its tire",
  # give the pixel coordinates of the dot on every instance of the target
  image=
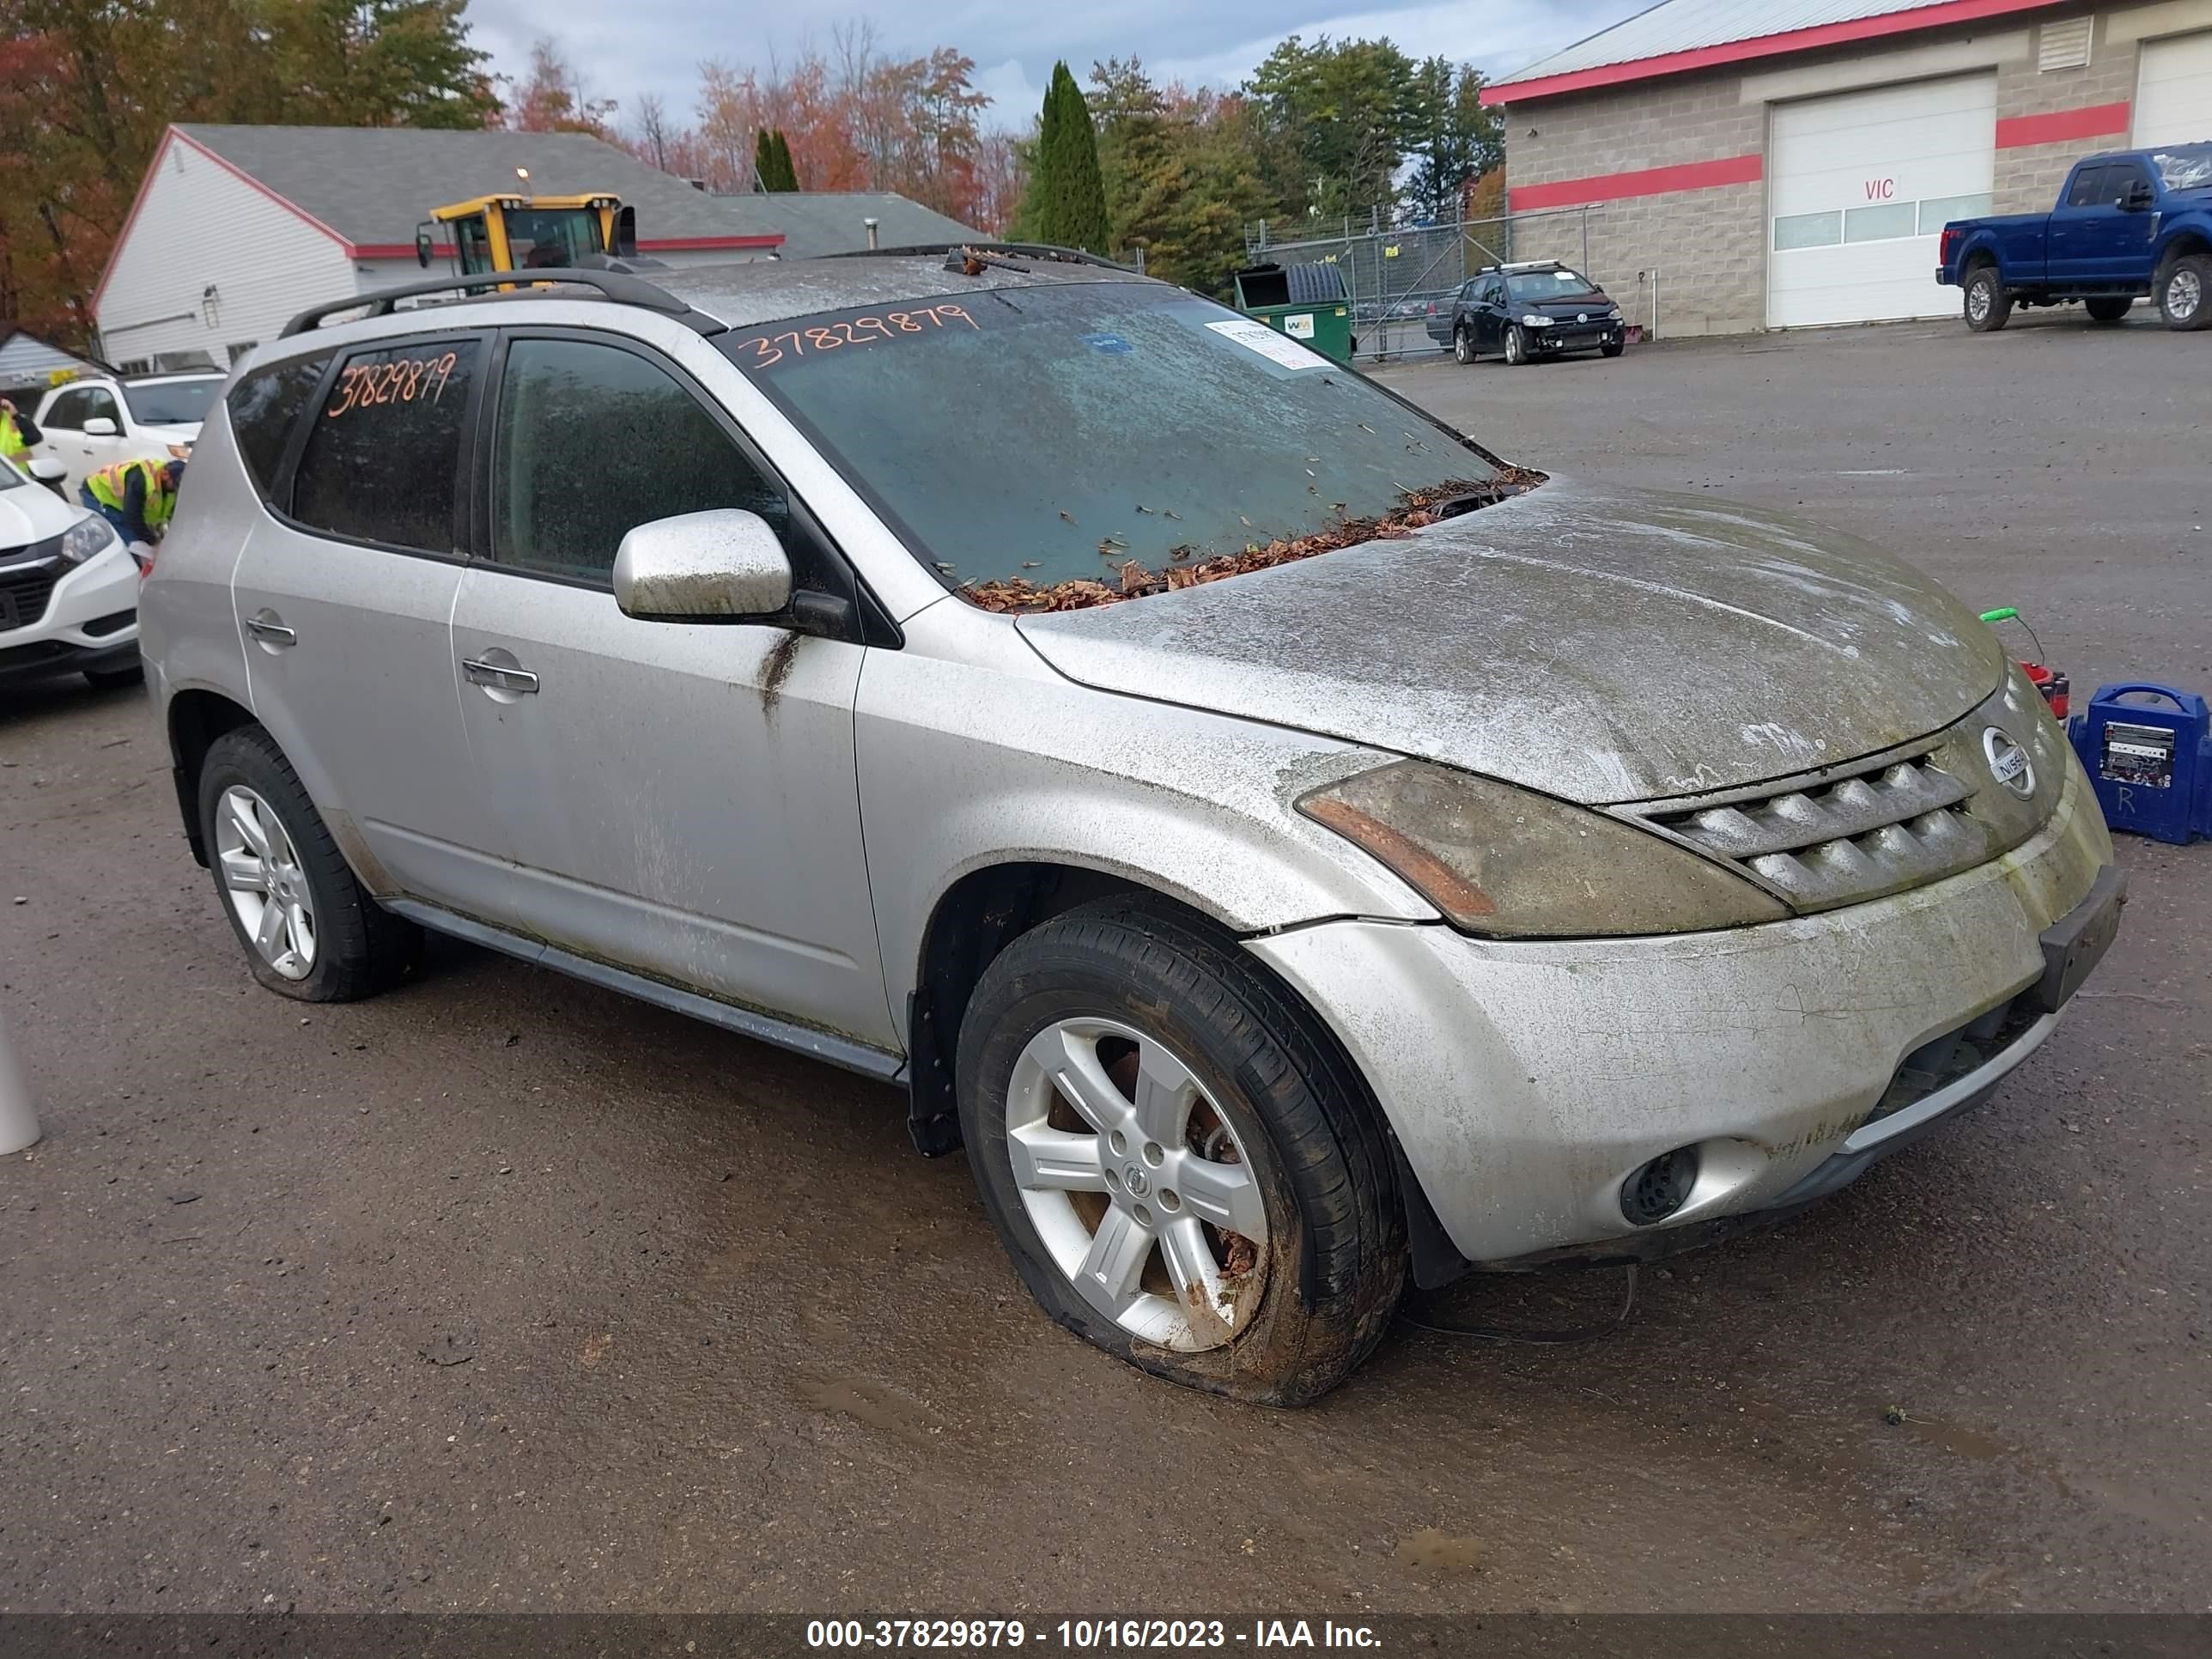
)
(1180, 1160)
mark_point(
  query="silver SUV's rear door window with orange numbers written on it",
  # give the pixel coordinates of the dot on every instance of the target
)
(384, 455)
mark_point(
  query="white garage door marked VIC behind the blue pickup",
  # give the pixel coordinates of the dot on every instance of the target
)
(1859, 189)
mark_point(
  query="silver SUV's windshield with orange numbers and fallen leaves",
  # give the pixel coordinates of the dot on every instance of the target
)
(1061, 435)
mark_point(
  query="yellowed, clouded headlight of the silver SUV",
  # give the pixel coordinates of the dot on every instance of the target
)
(1512, 864)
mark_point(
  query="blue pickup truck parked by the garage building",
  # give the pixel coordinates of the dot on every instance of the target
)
(2127, 225)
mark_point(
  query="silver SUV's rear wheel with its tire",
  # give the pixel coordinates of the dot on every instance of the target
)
(309, 928)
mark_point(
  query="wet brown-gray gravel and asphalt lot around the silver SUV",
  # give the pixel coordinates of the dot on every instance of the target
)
(505, 1293)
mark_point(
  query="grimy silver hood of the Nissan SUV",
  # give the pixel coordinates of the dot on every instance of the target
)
(1589, 643)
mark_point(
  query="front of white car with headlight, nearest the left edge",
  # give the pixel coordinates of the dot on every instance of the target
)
(67, 589)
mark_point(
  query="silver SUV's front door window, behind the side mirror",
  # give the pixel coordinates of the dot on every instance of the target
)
(594, 441)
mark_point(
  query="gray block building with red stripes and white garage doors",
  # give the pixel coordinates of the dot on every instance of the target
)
(1746, 165)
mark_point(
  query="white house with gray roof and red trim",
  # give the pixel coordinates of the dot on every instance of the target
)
(238, 229)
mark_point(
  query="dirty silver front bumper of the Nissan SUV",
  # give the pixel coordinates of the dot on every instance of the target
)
(1527, 1083)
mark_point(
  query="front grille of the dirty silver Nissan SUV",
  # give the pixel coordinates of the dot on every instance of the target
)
(1881, 824)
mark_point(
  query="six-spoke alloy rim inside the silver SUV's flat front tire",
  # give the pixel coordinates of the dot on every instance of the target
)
(1136, 1182)
